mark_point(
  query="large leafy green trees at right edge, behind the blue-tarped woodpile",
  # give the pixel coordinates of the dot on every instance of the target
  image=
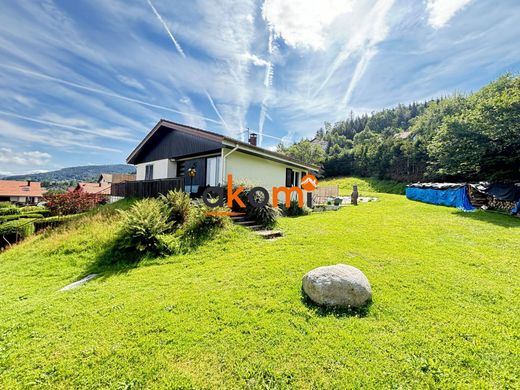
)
(482, 140)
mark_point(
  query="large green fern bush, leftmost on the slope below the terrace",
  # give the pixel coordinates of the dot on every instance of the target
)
(143, 226)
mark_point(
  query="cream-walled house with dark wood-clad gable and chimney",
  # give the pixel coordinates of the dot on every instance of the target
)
(171, 149)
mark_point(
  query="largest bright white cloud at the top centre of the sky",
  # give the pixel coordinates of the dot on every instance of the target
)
(304, 23)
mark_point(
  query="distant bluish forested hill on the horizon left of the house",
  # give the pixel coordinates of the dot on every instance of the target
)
(75, 174)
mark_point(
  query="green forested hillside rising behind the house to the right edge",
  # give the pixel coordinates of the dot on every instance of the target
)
(458, 137)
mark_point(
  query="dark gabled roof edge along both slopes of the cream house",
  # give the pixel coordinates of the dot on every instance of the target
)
(214, 137)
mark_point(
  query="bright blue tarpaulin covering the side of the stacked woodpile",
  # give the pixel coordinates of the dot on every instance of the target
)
(451, 196)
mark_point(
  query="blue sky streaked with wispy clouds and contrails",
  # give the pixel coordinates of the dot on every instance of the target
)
(82, 82)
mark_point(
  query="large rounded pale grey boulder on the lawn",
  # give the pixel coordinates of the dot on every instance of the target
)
(337, 285)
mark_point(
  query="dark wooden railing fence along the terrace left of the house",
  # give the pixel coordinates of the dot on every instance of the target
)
(147, 188)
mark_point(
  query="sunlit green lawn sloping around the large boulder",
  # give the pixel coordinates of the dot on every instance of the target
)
(446, 310)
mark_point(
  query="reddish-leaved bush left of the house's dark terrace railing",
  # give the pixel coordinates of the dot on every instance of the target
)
(73, 202)
